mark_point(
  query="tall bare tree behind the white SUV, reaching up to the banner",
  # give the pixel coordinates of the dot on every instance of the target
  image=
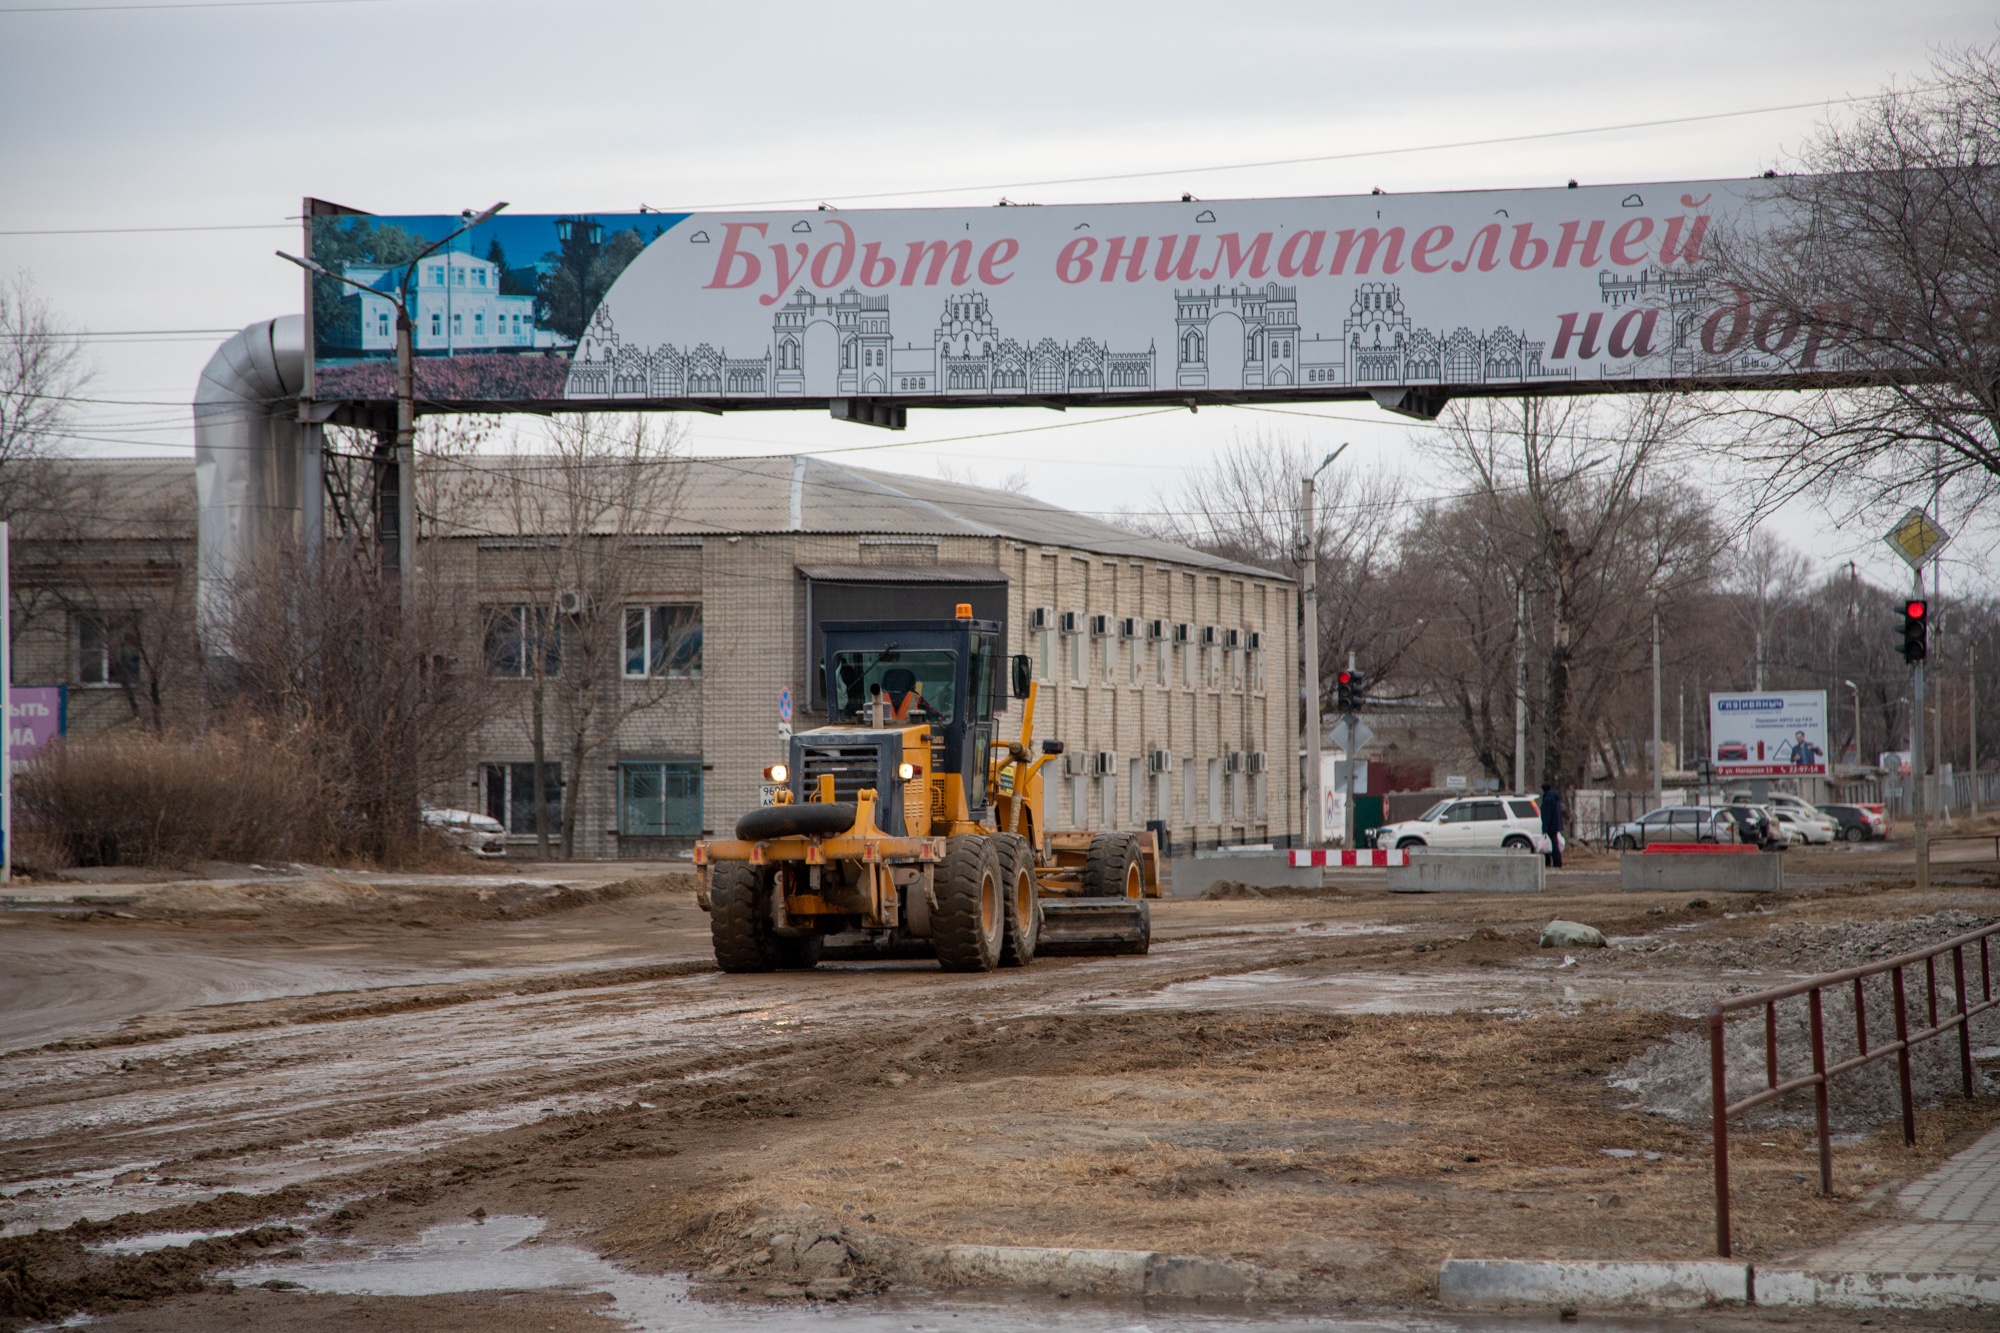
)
(1575, 513)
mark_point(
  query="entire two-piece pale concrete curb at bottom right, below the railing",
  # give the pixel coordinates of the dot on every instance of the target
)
(1693, 1286)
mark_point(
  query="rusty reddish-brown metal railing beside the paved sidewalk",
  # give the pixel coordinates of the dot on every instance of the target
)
(1823, 1074)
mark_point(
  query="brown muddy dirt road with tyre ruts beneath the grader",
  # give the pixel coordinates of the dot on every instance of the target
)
(1333, 1090)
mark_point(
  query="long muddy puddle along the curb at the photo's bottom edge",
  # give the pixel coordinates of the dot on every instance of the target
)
(499, 1256)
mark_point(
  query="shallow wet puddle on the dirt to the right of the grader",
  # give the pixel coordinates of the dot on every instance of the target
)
(1389, 994)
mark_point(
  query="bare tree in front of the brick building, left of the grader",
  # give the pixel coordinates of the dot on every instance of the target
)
(579, 513)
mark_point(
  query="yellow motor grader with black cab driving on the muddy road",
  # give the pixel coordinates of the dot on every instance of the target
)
(905, 830)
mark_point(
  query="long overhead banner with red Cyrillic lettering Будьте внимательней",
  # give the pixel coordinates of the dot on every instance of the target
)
(1191, 301)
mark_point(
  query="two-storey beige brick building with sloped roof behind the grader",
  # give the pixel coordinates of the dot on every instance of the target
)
(1169, 674)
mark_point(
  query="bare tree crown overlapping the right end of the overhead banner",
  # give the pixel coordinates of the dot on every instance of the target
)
(1881, 263)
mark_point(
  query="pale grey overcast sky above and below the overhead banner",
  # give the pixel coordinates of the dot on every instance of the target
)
(225, 117)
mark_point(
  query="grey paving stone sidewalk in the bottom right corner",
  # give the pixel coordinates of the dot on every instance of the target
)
(1951, 1226)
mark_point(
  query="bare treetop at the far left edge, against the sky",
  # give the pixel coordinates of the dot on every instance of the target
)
(41, 373)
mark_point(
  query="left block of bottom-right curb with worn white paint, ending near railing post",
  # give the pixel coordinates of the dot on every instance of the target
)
(1593, 1284)
